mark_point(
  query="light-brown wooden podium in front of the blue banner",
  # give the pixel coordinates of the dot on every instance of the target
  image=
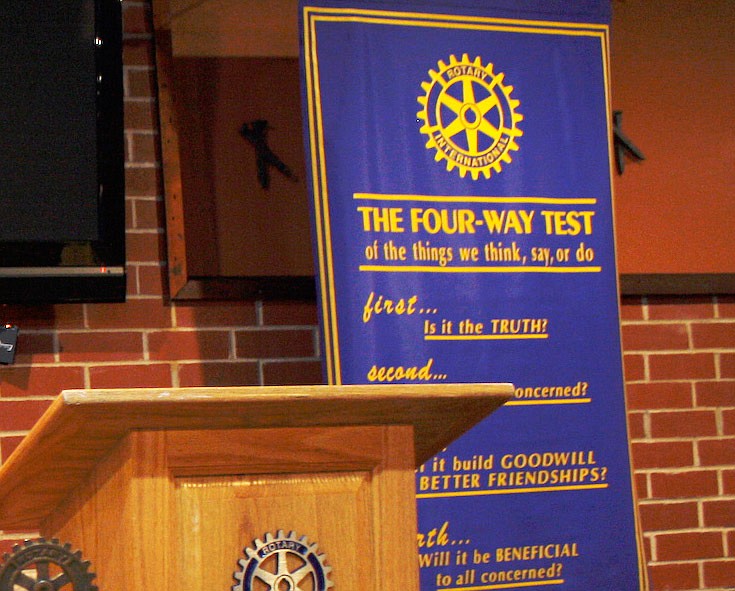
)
(167, 489)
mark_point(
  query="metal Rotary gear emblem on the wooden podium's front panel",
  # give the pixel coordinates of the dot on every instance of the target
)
(282, 563)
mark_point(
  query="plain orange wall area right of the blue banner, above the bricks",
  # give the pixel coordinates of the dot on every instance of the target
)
(673, 79)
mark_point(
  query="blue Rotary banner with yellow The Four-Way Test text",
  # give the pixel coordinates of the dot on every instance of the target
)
(460, 172)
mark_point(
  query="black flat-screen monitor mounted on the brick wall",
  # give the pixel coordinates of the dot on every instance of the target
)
(62, 198)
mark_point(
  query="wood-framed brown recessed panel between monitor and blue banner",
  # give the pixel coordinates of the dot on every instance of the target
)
(222, 64)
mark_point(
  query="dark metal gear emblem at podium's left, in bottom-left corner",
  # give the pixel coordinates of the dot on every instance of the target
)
(45, 566)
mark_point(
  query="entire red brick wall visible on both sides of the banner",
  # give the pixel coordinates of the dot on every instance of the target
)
(679, 355)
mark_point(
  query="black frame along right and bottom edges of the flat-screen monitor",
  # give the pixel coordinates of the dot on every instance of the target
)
(83, 270)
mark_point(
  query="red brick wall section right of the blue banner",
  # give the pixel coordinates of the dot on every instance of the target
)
(680, 376)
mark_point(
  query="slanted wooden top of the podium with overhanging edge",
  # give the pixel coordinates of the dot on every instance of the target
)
(82, 426)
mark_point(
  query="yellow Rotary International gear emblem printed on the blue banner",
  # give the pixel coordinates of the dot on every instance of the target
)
(469, 116)
